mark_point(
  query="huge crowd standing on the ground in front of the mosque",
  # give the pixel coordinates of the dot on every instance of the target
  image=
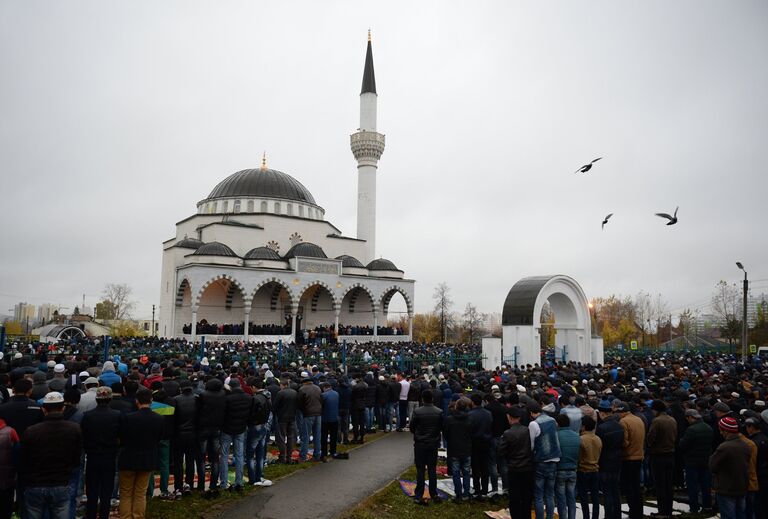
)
(540, 435)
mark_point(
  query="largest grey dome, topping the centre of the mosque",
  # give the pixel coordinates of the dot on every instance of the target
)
(266, 183)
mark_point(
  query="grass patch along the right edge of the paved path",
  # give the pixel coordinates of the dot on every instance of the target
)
(390, 502)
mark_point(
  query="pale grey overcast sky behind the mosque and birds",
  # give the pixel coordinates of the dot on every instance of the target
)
(117, 117)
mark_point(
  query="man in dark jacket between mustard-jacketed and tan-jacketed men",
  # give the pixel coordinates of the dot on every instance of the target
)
(611, 435)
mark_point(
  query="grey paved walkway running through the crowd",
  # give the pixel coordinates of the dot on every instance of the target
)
(328, 489)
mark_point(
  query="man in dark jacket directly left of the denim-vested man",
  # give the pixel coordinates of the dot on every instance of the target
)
(515, 451)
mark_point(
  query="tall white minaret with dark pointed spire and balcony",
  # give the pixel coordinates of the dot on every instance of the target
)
(367, 147)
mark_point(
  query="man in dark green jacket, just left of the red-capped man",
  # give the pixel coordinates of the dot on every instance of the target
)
(696, 447)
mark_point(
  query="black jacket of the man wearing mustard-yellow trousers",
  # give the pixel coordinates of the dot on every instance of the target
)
(140, 434)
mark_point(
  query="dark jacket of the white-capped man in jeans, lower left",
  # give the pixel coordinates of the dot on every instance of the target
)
(50, 451)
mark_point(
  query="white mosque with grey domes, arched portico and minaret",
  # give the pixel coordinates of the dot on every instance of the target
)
(258, 260)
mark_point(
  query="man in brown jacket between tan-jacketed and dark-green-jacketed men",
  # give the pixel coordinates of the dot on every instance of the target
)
(661, 439)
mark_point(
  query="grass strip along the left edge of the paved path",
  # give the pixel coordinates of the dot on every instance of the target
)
(195, 506)
